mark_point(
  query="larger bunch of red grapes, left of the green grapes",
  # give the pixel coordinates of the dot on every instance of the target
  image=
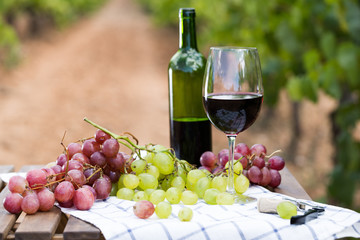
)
(83, 173)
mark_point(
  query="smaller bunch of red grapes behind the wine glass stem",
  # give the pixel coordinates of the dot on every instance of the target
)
(257, 167)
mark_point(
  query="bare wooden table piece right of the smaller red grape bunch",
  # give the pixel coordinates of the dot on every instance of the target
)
(290, 186)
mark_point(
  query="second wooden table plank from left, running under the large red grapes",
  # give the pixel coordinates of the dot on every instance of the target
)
(41, 225)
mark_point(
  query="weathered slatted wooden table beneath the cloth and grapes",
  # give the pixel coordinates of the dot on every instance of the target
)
(56, 225)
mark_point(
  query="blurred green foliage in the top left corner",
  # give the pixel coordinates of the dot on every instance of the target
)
(39, 13)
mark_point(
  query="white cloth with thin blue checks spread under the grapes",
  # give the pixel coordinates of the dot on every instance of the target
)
(116, 220)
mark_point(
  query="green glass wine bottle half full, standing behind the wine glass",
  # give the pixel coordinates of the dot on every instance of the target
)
(190, 129)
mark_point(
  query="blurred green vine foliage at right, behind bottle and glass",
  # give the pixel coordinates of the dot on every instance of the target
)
(305, 46)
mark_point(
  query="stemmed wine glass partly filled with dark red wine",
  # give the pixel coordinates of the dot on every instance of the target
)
(232, 96)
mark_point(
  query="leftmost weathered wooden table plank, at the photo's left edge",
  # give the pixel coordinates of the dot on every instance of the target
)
(7, 220)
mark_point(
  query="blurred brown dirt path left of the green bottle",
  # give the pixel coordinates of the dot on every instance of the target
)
(110, 67)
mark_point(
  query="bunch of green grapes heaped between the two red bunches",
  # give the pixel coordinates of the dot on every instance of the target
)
(158, 176)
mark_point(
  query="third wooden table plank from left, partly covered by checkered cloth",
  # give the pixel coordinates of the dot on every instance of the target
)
(77, 229)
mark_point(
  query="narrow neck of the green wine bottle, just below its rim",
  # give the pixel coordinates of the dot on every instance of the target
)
(187, 33)
